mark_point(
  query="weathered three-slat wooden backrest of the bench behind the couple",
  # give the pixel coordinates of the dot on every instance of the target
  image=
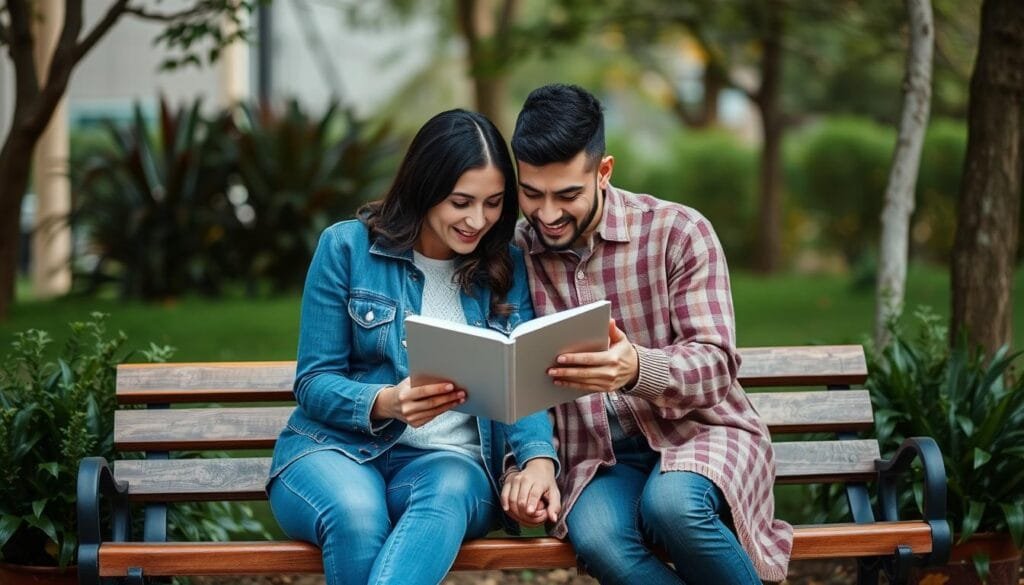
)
(252, 402)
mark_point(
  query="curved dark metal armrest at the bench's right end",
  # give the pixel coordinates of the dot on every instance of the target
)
(890, 472)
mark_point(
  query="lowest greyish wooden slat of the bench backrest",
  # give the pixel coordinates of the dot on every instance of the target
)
(243, 479)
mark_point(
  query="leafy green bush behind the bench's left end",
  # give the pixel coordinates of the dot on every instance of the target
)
(53, 414)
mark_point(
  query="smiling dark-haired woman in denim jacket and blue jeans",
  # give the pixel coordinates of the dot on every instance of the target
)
(383, 476)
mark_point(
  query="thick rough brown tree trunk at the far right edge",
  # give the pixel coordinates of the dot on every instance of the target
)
(991, 191)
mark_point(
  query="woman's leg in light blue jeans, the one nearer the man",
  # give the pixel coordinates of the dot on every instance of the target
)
(437, 499)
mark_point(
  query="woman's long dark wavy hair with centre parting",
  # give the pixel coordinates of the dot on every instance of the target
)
(448, 146)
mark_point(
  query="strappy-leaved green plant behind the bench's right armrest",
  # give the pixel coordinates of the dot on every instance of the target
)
(974, 409)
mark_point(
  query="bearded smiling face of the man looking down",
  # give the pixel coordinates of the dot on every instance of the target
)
(563, 201)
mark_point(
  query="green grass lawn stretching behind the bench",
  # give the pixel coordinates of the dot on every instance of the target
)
(774, 311)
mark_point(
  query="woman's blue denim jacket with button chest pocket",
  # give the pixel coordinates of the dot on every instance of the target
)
(352, 346)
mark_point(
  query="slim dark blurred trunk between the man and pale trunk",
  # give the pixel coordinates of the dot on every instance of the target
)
(767, 100)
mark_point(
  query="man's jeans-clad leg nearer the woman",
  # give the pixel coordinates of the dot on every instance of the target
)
(605, 523)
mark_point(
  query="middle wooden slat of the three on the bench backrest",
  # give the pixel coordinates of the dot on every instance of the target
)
(258, 428)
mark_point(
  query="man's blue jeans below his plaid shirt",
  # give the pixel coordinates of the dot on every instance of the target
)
(632, 505)
